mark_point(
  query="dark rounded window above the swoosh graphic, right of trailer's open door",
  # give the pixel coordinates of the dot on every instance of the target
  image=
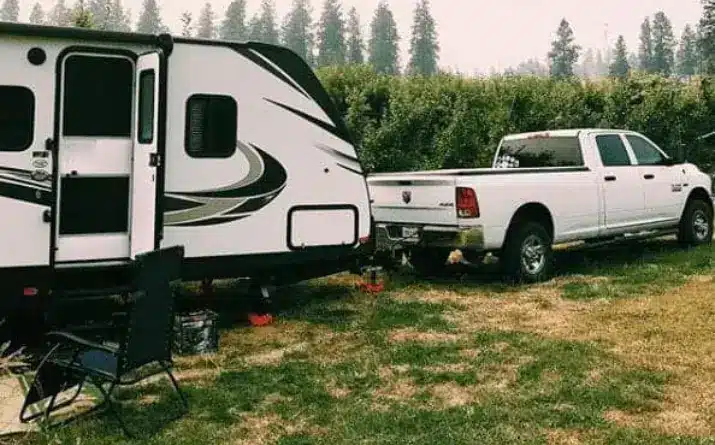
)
(211, 124)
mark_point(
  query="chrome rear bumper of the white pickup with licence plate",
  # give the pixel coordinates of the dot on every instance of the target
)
(396, 236)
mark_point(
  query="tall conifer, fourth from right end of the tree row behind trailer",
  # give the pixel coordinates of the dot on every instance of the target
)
(331, 35)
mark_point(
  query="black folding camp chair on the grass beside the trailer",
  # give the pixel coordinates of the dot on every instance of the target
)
(146, 339)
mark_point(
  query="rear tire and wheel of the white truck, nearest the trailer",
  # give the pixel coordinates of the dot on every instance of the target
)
(527, 256)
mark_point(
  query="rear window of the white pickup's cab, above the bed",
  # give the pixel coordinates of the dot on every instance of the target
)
(558, 151)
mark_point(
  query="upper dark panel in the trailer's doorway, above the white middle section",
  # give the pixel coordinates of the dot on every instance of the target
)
(98, 94)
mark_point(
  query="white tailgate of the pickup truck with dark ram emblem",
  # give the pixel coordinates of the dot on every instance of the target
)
(413, 199)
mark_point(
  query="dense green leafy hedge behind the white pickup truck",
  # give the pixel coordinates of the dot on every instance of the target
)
(448, 121)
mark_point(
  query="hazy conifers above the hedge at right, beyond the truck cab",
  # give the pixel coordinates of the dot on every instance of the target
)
(658, 52)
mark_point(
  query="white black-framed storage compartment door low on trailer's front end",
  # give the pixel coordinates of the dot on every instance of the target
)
(307, 226)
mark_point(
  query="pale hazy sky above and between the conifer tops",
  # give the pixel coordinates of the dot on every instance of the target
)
(479, 34)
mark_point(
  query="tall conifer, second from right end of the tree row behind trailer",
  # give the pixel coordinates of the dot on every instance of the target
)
(383, 46)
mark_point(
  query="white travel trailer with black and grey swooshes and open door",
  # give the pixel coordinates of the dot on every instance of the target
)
(113, 144)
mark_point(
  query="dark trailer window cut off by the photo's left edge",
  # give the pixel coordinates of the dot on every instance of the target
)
(17, 118)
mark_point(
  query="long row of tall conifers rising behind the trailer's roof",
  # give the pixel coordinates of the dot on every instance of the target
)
(336, 38)
